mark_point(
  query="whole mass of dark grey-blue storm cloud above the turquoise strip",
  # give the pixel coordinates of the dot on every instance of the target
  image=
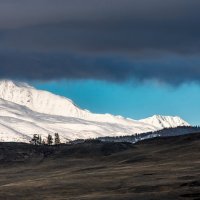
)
(112, 40)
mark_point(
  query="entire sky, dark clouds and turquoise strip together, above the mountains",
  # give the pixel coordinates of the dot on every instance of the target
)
(131, 58)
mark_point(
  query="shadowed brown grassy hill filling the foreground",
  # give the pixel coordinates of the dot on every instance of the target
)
(162, 168)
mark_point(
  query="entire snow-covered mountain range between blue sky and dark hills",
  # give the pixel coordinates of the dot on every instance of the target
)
(25, 111)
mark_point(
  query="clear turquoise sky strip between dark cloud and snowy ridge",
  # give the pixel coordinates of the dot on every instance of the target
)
(132, 100)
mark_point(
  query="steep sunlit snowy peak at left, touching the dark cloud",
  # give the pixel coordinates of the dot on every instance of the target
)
(38, 100)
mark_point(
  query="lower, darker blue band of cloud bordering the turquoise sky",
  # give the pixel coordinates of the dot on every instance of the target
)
(47, 66)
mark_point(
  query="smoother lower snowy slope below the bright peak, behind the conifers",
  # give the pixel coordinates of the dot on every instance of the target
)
(19, 123)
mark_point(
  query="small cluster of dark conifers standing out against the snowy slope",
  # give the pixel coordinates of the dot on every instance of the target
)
(37, 140)
